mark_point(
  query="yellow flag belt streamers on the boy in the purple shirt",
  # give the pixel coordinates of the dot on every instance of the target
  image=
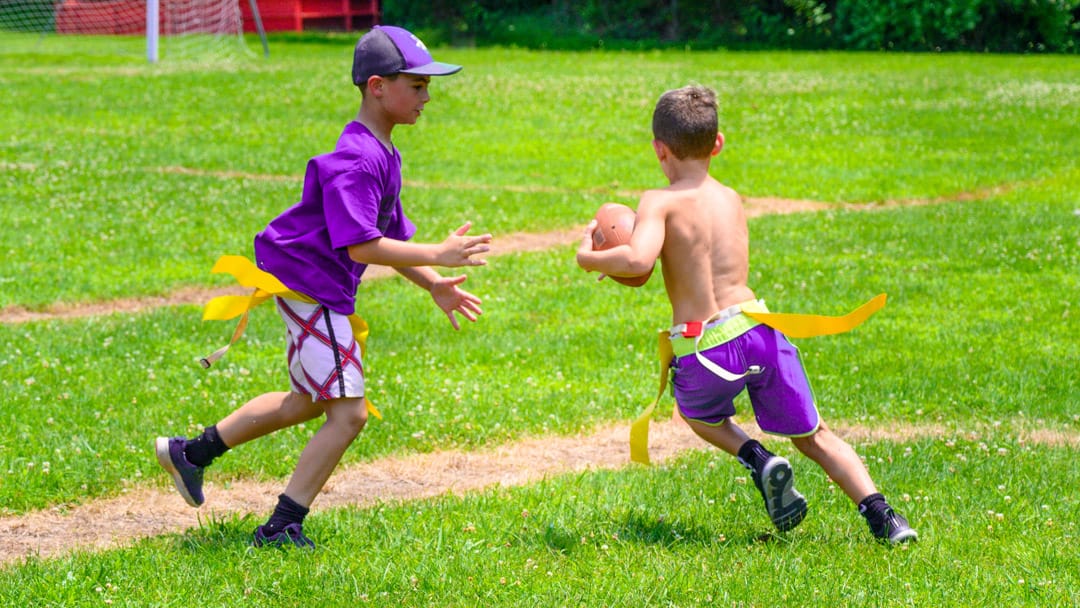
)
(266, 287)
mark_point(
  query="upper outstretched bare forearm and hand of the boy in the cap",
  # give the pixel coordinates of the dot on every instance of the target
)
(457, 250)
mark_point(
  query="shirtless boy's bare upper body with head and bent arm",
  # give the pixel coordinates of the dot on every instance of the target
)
(696, 226)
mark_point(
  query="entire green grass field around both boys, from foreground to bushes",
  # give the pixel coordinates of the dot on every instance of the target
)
(123, 180)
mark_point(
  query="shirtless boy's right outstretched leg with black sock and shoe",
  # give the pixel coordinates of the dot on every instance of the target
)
(847, 470)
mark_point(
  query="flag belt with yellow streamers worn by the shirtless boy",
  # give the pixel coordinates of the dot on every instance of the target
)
(751, 314)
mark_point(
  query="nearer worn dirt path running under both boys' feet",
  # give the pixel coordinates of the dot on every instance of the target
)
(117, 522)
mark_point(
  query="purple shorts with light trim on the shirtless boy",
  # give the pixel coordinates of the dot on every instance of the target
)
(780, 394)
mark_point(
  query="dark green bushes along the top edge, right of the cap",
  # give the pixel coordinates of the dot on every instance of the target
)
(1008, 26)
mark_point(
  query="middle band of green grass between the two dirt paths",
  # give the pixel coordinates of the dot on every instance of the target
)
(557, 353)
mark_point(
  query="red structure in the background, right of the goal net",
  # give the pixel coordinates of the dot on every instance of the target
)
(299, 16)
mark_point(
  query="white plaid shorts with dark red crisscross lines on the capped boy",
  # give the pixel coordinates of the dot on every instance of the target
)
(323, 355)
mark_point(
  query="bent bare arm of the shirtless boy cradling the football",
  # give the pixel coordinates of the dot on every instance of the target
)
(632, 260)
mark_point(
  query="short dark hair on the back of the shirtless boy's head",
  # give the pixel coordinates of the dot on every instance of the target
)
(686, 121)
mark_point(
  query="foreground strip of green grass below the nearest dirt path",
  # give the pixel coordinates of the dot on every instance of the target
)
(995, 532)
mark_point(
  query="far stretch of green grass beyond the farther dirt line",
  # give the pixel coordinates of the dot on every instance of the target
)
(92, 147)
